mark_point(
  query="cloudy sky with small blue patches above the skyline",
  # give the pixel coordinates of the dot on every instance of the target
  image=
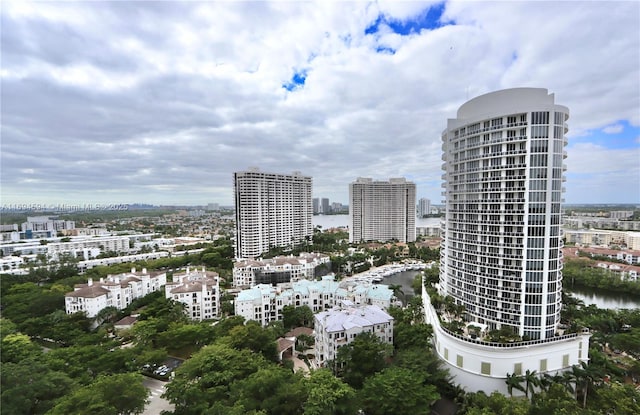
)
(160, 102)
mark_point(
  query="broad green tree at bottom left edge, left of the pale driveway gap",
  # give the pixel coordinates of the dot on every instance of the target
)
(108, 395)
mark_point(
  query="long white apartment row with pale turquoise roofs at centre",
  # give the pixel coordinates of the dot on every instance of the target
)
(264, 303)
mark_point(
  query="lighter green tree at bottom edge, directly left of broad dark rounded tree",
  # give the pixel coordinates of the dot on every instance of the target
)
(328, 395)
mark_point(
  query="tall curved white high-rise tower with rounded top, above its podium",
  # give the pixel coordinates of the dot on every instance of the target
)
(502, 239)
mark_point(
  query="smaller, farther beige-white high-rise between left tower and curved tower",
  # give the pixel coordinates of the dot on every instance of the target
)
(382, 210)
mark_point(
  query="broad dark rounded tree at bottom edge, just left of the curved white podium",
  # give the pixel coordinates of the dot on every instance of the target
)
(397, 391)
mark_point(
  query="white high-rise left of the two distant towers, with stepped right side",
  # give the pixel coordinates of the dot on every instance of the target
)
(272, 210)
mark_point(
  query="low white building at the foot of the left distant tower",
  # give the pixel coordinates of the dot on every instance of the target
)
(249, 272)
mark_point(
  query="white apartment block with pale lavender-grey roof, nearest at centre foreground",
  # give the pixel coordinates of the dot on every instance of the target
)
(338, 327)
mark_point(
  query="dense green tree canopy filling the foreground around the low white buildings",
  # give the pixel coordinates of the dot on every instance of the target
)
(57, 363)
